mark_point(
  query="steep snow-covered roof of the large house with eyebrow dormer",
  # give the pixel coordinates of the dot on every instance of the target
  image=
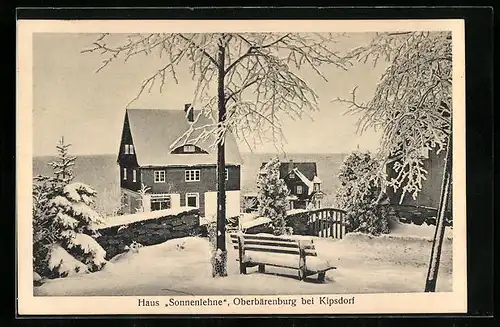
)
(155, 130)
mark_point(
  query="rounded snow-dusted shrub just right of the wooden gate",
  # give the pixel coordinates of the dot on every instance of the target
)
(358, 195)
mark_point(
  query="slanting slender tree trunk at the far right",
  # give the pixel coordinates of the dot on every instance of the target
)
(432, 273)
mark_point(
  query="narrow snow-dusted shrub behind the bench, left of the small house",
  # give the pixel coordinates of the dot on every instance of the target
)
(271, 195)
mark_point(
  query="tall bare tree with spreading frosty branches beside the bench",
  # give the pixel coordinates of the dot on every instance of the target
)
(256, 81)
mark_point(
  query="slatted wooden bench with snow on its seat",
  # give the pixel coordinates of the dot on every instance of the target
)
(262, 250)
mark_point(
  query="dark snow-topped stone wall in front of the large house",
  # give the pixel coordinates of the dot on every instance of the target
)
(149, 231)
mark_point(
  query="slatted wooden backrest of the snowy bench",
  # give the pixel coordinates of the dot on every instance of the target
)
(274, 244)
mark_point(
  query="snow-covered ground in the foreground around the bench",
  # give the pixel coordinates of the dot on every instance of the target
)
(394, 263)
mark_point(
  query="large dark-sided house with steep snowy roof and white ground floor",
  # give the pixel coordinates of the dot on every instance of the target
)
(153, 155)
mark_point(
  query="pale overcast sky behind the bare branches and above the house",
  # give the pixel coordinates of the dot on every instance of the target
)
(87, 108)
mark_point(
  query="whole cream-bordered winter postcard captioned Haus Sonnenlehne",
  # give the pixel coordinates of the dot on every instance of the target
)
(241, 167)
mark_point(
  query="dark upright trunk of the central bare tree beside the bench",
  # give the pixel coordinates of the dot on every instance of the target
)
(220, 260)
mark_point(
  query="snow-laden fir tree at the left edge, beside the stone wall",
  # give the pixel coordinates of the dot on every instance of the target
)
(63, 222)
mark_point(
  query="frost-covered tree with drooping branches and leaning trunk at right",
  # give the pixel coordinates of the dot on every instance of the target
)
(412, 106)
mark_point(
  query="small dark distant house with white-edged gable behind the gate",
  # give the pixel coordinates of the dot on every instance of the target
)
(303, 182)
